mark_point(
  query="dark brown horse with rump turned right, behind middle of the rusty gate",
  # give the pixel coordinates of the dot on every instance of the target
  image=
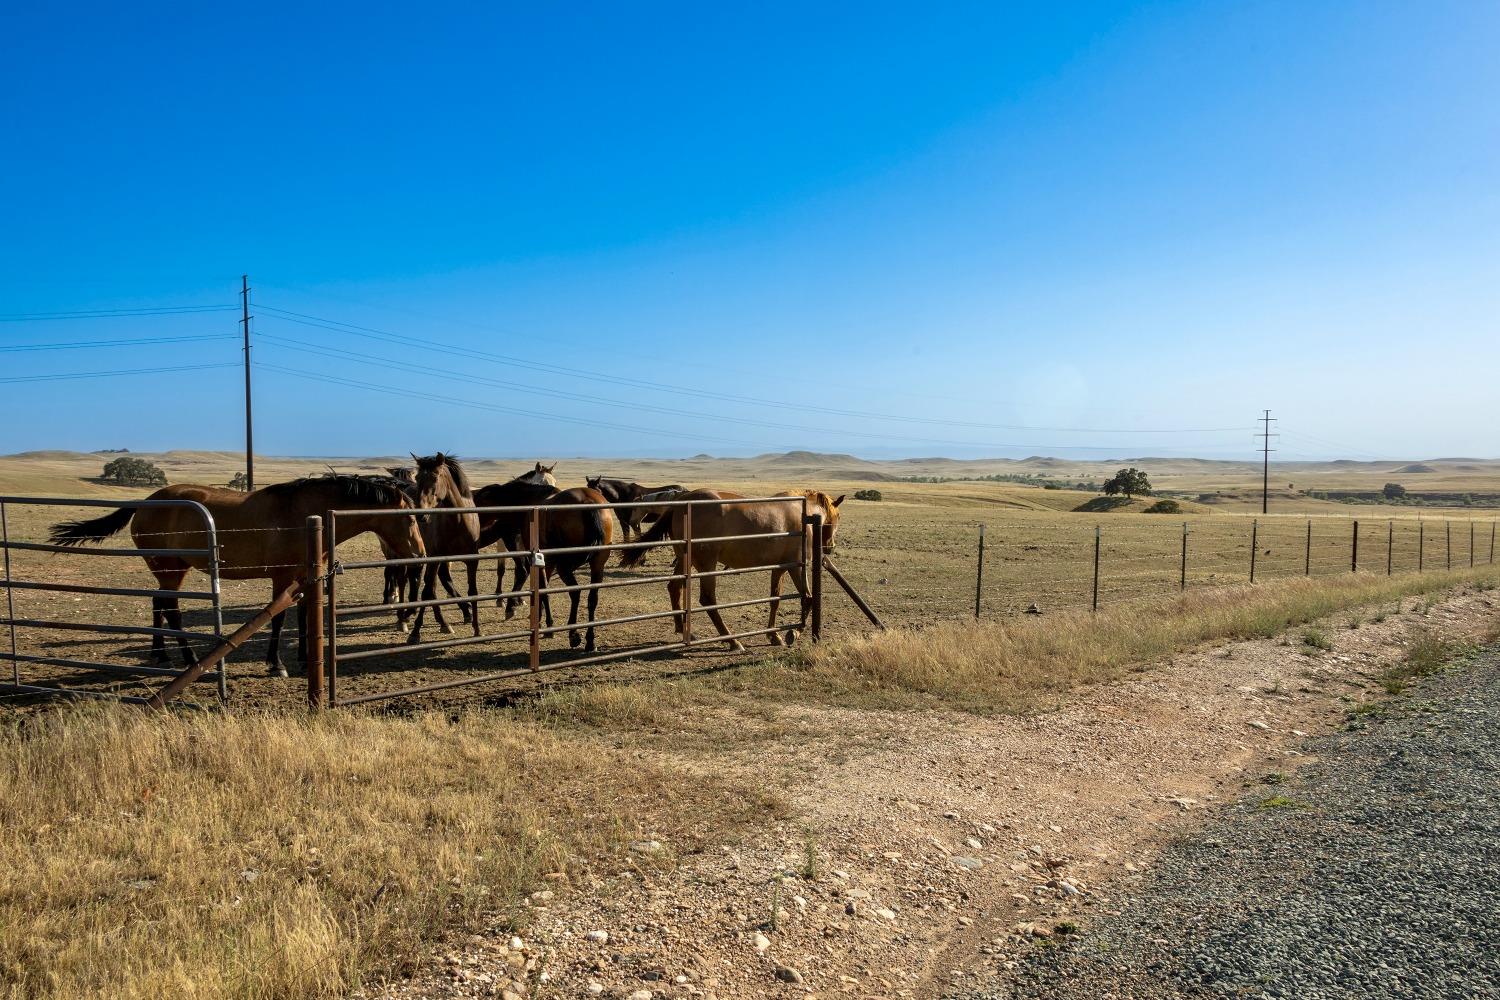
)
(562, 528)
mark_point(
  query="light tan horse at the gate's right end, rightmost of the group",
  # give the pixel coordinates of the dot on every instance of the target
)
(743, 519)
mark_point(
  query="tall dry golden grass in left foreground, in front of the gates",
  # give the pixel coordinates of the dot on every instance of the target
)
(269, 857)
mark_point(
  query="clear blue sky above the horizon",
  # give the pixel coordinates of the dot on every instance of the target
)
(893, 230)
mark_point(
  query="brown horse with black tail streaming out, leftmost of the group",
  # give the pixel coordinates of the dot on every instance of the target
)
(260, 537)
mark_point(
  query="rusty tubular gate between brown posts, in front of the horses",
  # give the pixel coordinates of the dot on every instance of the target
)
(808, 566)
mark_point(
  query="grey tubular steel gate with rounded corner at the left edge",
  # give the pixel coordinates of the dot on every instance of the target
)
(52, 620)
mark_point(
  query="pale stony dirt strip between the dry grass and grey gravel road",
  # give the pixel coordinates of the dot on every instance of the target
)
(929, 846)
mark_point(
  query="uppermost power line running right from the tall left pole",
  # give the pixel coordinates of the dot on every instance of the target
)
(335, 326)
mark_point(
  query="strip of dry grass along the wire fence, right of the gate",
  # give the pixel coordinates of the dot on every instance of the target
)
(1024, 666)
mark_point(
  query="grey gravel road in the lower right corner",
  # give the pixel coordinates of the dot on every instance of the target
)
(1375, 872)
